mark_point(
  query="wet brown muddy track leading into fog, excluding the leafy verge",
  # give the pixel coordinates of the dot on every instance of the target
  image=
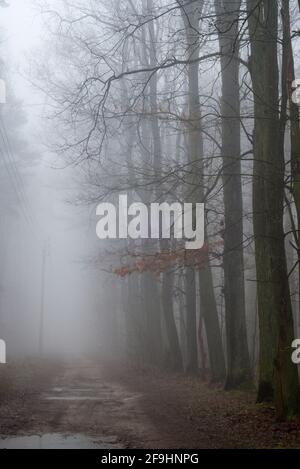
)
(79, 401)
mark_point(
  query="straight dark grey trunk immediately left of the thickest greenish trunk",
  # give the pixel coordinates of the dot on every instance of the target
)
(238, 361)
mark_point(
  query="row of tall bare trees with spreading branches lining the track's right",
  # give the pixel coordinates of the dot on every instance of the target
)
(193, 101)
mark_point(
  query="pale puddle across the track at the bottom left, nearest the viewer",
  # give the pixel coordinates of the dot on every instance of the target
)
(57, 441)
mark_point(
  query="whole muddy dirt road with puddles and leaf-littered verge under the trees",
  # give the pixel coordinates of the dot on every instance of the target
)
(117, 407)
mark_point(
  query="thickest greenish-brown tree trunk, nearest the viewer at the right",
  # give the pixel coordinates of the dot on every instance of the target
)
(278, 376)
